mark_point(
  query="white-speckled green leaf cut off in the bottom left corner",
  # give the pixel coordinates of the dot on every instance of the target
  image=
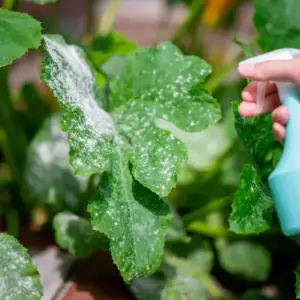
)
(19, 277)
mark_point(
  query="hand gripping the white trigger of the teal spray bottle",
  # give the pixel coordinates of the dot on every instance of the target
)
(269, 71)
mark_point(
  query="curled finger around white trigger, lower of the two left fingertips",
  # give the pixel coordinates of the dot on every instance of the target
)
(249, 109)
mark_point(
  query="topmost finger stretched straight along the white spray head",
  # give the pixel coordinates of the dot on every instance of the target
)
(280, 70)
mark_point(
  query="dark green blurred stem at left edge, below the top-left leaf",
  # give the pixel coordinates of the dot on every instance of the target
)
(15, 141)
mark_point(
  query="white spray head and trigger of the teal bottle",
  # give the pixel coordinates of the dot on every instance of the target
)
(281, 54)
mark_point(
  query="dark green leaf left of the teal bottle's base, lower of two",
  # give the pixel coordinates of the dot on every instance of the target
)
(252, 208)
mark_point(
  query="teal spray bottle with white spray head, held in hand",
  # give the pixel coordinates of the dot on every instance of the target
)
(284, 181)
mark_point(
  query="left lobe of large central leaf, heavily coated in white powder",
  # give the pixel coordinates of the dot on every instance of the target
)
(90, 129)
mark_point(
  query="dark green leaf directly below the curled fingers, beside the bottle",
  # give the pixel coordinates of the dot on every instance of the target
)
(256, 134)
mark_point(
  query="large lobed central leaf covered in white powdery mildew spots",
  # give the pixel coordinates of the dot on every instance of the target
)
(156, 83)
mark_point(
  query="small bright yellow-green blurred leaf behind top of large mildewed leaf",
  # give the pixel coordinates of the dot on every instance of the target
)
(102, 48)
